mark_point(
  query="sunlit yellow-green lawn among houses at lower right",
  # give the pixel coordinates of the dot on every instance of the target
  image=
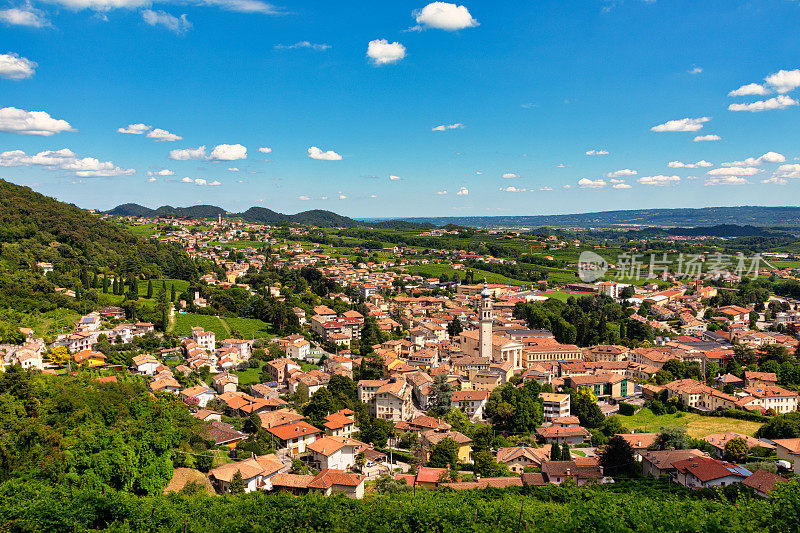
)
(696, 425)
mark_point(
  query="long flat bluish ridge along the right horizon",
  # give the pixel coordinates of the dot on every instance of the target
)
(774, 217)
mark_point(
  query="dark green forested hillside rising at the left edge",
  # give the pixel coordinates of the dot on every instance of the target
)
(35, 228)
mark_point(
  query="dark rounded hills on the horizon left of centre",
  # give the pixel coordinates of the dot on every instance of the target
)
(262, 215)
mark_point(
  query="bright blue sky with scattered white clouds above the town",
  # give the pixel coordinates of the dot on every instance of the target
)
(523, 90)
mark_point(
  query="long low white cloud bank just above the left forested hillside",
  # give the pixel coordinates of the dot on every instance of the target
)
(64, 159)
